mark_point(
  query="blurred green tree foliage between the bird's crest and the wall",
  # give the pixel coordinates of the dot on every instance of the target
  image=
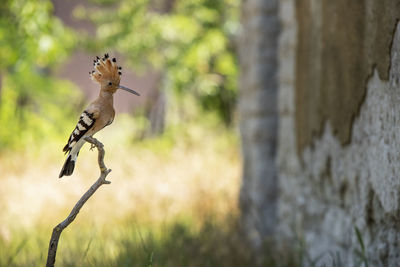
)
(190, 41)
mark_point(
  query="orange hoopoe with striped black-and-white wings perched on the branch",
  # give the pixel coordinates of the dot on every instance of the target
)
(100, 112)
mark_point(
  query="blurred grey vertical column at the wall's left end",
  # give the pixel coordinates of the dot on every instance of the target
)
(258, 49)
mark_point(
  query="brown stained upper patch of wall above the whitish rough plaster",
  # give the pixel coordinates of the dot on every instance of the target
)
(338, 45)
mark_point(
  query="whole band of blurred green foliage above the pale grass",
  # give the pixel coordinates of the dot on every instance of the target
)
(187, 46)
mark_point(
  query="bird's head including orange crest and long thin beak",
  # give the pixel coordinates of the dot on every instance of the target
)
(108, 74)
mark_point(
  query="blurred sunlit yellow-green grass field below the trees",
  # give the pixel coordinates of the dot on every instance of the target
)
(172, 201)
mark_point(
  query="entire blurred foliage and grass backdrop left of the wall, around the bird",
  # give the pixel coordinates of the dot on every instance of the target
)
(173, 151)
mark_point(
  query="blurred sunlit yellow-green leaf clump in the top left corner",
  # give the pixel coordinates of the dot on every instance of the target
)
(32, 34)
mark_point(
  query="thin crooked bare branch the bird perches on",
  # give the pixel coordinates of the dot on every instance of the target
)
(55, 236)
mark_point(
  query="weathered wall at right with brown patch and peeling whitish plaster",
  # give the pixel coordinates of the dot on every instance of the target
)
(339, 128)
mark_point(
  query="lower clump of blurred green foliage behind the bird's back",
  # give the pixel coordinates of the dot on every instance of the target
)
(30, 109)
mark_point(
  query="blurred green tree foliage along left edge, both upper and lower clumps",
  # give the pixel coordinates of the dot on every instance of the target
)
(32, 42)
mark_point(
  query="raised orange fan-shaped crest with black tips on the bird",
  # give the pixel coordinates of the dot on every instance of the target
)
(106, 69)
